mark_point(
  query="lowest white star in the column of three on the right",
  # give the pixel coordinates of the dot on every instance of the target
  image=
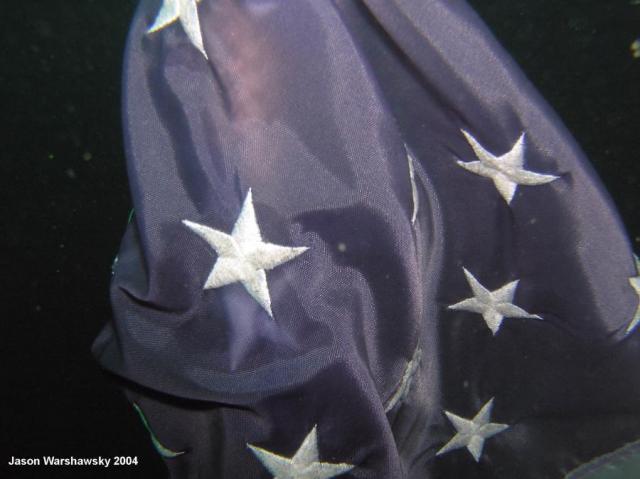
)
(471, 433)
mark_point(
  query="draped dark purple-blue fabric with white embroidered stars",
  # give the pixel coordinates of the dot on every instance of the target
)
(390, 149)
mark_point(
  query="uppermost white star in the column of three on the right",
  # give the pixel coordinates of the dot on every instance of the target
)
(506, 171)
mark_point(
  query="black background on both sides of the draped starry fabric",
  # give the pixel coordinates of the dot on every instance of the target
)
(65, 201)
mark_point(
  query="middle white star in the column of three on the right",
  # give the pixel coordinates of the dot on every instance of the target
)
(494, 306)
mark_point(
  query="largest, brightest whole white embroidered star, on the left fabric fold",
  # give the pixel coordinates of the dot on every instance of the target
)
(242, 255)
